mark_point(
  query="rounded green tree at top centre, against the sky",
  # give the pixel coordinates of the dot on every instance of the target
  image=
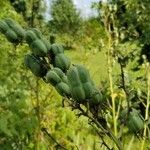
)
(65, 17)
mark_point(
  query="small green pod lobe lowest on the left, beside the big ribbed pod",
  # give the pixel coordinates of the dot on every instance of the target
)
(63, 89)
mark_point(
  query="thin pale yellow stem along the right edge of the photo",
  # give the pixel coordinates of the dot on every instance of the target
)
(147, 109)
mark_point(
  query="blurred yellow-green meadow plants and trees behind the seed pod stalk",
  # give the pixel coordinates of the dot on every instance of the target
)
(114, 46)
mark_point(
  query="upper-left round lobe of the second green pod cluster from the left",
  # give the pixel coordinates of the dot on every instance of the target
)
(30, 37)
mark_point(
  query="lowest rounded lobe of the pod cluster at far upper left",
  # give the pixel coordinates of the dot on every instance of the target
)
(11, 36)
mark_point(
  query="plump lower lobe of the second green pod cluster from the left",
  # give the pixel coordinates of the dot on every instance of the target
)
(38, 48)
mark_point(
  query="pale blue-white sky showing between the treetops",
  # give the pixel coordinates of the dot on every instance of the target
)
(84, 7)
